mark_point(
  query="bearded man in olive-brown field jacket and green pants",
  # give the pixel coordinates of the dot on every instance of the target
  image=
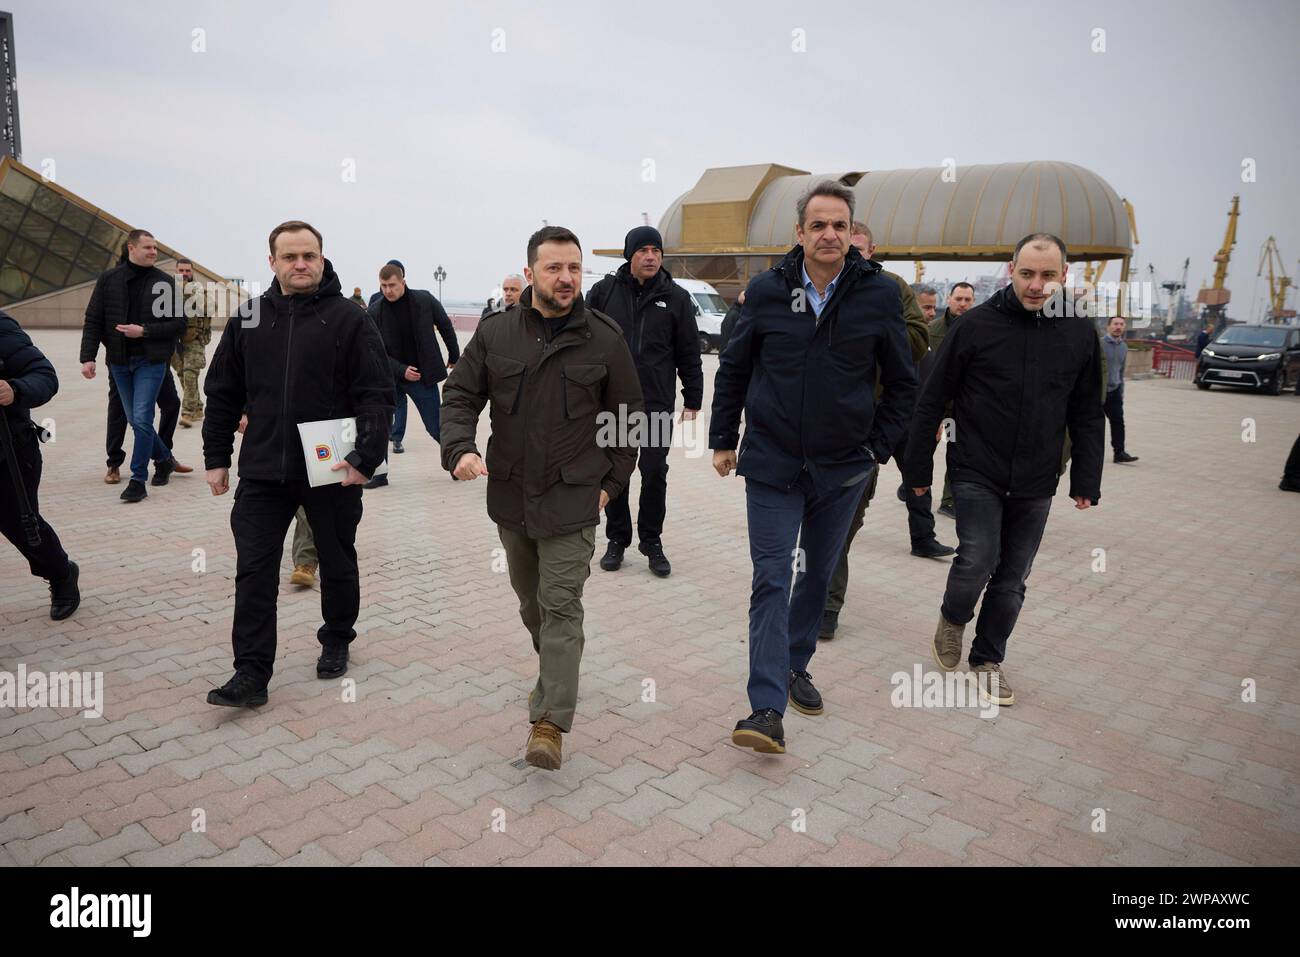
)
(552, 370)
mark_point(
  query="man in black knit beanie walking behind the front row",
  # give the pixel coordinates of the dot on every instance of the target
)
(658, 322)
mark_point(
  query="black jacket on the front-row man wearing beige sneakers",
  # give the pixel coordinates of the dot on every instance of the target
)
(1017, 382)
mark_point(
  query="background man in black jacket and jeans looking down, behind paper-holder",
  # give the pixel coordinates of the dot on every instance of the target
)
(406, 319)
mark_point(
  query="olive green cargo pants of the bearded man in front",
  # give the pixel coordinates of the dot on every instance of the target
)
(548, 575)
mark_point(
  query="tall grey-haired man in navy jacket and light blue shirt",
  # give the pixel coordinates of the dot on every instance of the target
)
(803, 366)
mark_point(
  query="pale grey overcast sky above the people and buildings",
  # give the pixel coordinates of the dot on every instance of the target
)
(462, 151)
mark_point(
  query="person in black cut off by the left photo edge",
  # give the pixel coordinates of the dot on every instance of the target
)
(28, 380)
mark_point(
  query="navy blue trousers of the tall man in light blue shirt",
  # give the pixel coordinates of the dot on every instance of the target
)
(791, 530)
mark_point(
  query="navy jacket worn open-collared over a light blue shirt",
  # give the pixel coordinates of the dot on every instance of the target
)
(807, 384)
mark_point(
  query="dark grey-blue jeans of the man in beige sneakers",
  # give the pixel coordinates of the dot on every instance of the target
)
(998, 540)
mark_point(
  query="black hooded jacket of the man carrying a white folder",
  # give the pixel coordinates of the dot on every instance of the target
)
(297, 360)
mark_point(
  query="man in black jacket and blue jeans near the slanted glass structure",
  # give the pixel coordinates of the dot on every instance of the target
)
(133, 314)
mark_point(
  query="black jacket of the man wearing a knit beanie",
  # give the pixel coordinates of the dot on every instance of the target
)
(658, 322)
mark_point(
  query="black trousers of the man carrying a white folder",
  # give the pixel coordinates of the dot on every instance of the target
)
(259, 519)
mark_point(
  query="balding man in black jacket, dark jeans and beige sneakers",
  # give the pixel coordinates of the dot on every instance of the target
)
(1019, 378)
